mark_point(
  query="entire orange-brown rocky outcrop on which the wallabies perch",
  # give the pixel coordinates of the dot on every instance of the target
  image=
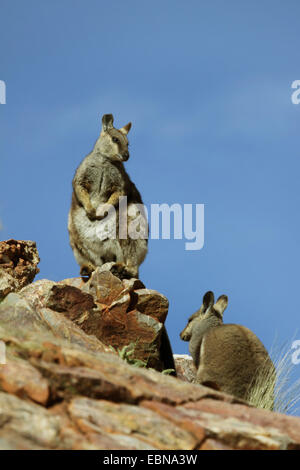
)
(65, 385)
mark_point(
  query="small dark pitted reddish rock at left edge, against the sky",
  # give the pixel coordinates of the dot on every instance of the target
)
(18, 265)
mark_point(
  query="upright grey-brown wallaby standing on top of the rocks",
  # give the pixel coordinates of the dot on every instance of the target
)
(99, 182)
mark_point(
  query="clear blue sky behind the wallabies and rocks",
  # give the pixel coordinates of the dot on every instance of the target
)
(207, 86)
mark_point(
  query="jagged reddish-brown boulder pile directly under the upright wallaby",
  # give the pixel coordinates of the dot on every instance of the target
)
(119, 313)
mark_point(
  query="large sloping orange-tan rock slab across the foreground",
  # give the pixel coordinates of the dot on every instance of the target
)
(58, 392)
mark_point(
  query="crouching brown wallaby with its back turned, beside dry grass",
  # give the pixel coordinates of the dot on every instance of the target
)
(228, 357)
